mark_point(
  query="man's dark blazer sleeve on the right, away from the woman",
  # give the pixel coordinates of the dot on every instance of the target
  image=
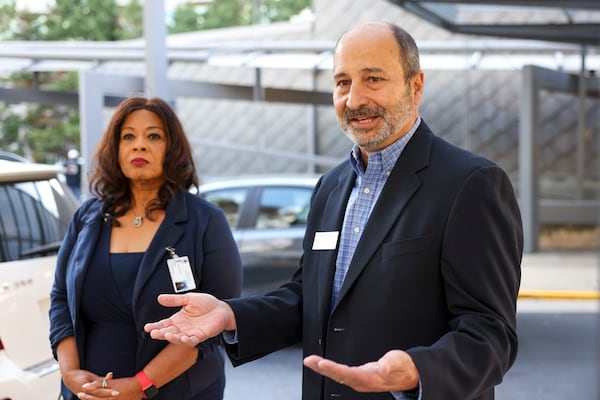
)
(480, 266)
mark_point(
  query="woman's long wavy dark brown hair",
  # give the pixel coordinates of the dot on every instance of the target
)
(107, 180)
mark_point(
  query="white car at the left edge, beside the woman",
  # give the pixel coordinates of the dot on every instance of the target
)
(35, 209)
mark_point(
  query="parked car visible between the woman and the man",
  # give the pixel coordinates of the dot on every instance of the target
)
(268, 219)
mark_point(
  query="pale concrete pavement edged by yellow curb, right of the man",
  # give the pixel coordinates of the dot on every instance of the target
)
(561, 275)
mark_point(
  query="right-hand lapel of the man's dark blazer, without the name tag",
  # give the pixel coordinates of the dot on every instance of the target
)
(402, 183)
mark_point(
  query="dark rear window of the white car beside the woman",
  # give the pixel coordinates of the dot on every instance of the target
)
(30, 220)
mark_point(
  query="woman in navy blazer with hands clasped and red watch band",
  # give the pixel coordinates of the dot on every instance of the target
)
(142, 234)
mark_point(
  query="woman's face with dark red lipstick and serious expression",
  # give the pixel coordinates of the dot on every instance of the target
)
(142, 148)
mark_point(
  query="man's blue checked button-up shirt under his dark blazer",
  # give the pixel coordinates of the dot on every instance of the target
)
(369, 183)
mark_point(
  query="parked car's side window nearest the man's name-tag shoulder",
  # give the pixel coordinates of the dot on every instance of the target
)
(283, 207)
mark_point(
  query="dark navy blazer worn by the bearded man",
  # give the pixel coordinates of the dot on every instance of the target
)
(436, 273)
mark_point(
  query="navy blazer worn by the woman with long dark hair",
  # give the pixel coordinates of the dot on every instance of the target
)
(195, 228)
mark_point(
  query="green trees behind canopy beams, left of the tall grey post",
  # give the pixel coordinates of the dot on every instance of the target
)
(45, 133)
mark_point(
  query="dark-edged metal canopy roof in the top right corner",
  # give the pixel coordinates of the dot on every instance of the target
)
(568, 21)
